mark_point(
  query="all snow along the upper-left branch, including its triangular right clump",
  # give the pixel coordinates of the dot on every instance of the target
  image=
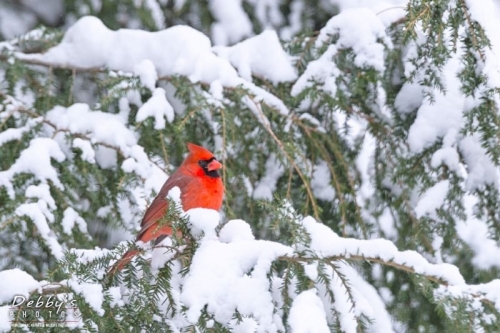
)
(89, 45)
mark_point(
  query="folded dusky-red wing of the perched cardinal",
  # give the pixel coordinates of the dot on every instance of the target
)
(151, 227)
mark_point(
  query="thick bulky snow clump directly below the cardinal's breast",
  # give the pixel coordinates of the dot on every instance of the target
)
(220, 278)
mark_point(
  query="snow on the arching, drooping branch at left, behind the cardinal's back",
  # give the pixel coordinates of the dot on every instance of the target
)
(98, 135)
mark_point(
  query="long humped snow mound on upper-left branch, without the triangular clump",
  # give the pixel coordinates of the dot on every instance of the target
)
(178, 50)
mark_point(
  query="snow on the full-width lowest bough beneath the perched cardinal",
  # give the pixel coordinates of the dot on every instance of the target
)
(232, 274)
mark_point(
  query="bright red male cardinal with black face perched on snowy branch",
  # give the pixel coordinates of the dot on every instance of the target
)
(201, 187)
